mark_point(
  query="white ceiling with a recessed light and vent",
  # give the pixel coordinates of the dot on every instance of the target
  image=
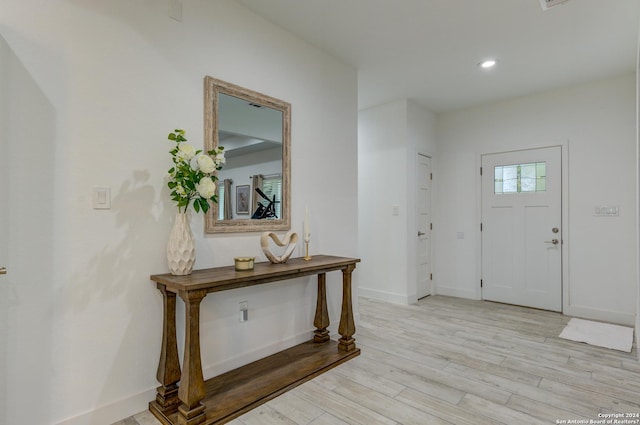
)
(428, 50)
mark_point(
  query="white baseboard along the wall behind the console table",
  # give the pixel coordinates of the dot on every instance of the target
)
(118, 410)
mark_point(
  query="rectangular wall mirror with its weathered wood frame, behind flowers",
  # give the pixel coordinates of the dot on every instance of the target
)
(253, 185)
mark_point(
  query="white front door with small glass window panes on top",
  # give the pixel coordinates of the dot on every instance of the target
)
(521, 228)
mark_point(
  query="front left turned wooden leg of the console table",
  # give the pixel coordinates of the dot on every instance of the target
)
(191, 391)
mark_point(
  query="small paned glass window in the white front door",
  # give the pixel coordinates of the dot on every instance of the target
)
(520, 178)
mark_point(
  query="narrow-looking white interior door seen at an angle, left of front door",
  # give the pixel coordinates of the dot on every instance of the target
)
(423, 201)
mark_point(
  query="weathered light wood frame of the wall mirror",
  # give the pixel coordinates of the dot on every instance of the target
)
(212, 89)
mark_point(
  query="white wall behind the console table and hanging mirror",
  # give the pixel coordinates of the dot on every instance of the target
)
(112, 79)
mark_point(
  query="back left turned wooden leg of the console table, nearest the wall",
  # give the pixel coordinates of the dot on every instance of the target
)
(168, 373)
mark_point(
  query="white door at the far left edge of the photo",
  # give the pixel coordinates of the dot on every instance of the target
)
(27, 298)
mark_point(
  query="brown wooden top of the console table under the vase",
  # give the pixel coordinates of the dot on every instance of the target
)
(226, 278)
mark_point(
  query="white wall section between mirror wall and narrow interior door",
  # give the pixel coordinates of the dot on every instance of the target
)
(389, 137)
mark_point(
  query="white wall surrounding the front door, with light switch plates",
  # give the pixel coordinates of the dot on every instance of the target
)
(598, 121)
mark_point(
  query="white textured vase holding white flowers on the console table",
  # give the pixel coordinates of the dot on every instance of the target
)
(181, 251)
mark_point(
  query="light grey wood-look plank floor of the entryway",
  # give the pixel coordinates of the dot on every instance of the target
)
(455, 361)
